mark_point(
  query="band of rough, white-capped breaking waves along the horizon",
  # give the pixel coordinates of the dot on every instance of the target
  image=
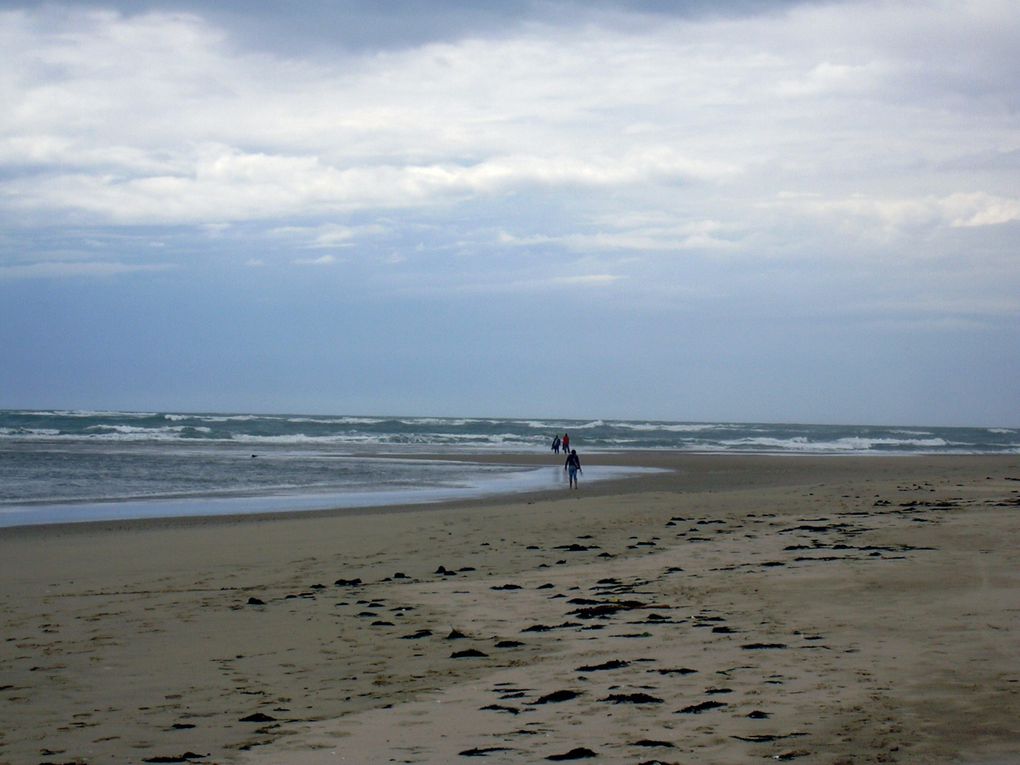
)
(513, 435)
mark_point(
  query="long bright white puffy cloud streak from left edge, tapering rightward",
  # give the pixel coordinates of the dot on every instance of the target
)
(231, 186)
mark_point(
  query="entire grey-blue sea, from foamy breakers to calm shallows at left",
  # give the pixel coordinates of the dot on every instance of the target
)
(66, 467)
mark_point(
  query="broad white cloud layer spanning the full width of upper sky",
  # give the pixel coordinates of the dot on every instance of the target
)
(550, 128)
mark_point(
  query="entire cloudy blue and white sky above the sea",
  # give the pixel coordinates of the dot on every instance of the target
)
(739, 212)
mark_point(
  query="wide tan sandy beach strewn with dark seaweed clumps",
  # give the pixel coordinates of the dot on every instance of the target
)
(730, 609)
